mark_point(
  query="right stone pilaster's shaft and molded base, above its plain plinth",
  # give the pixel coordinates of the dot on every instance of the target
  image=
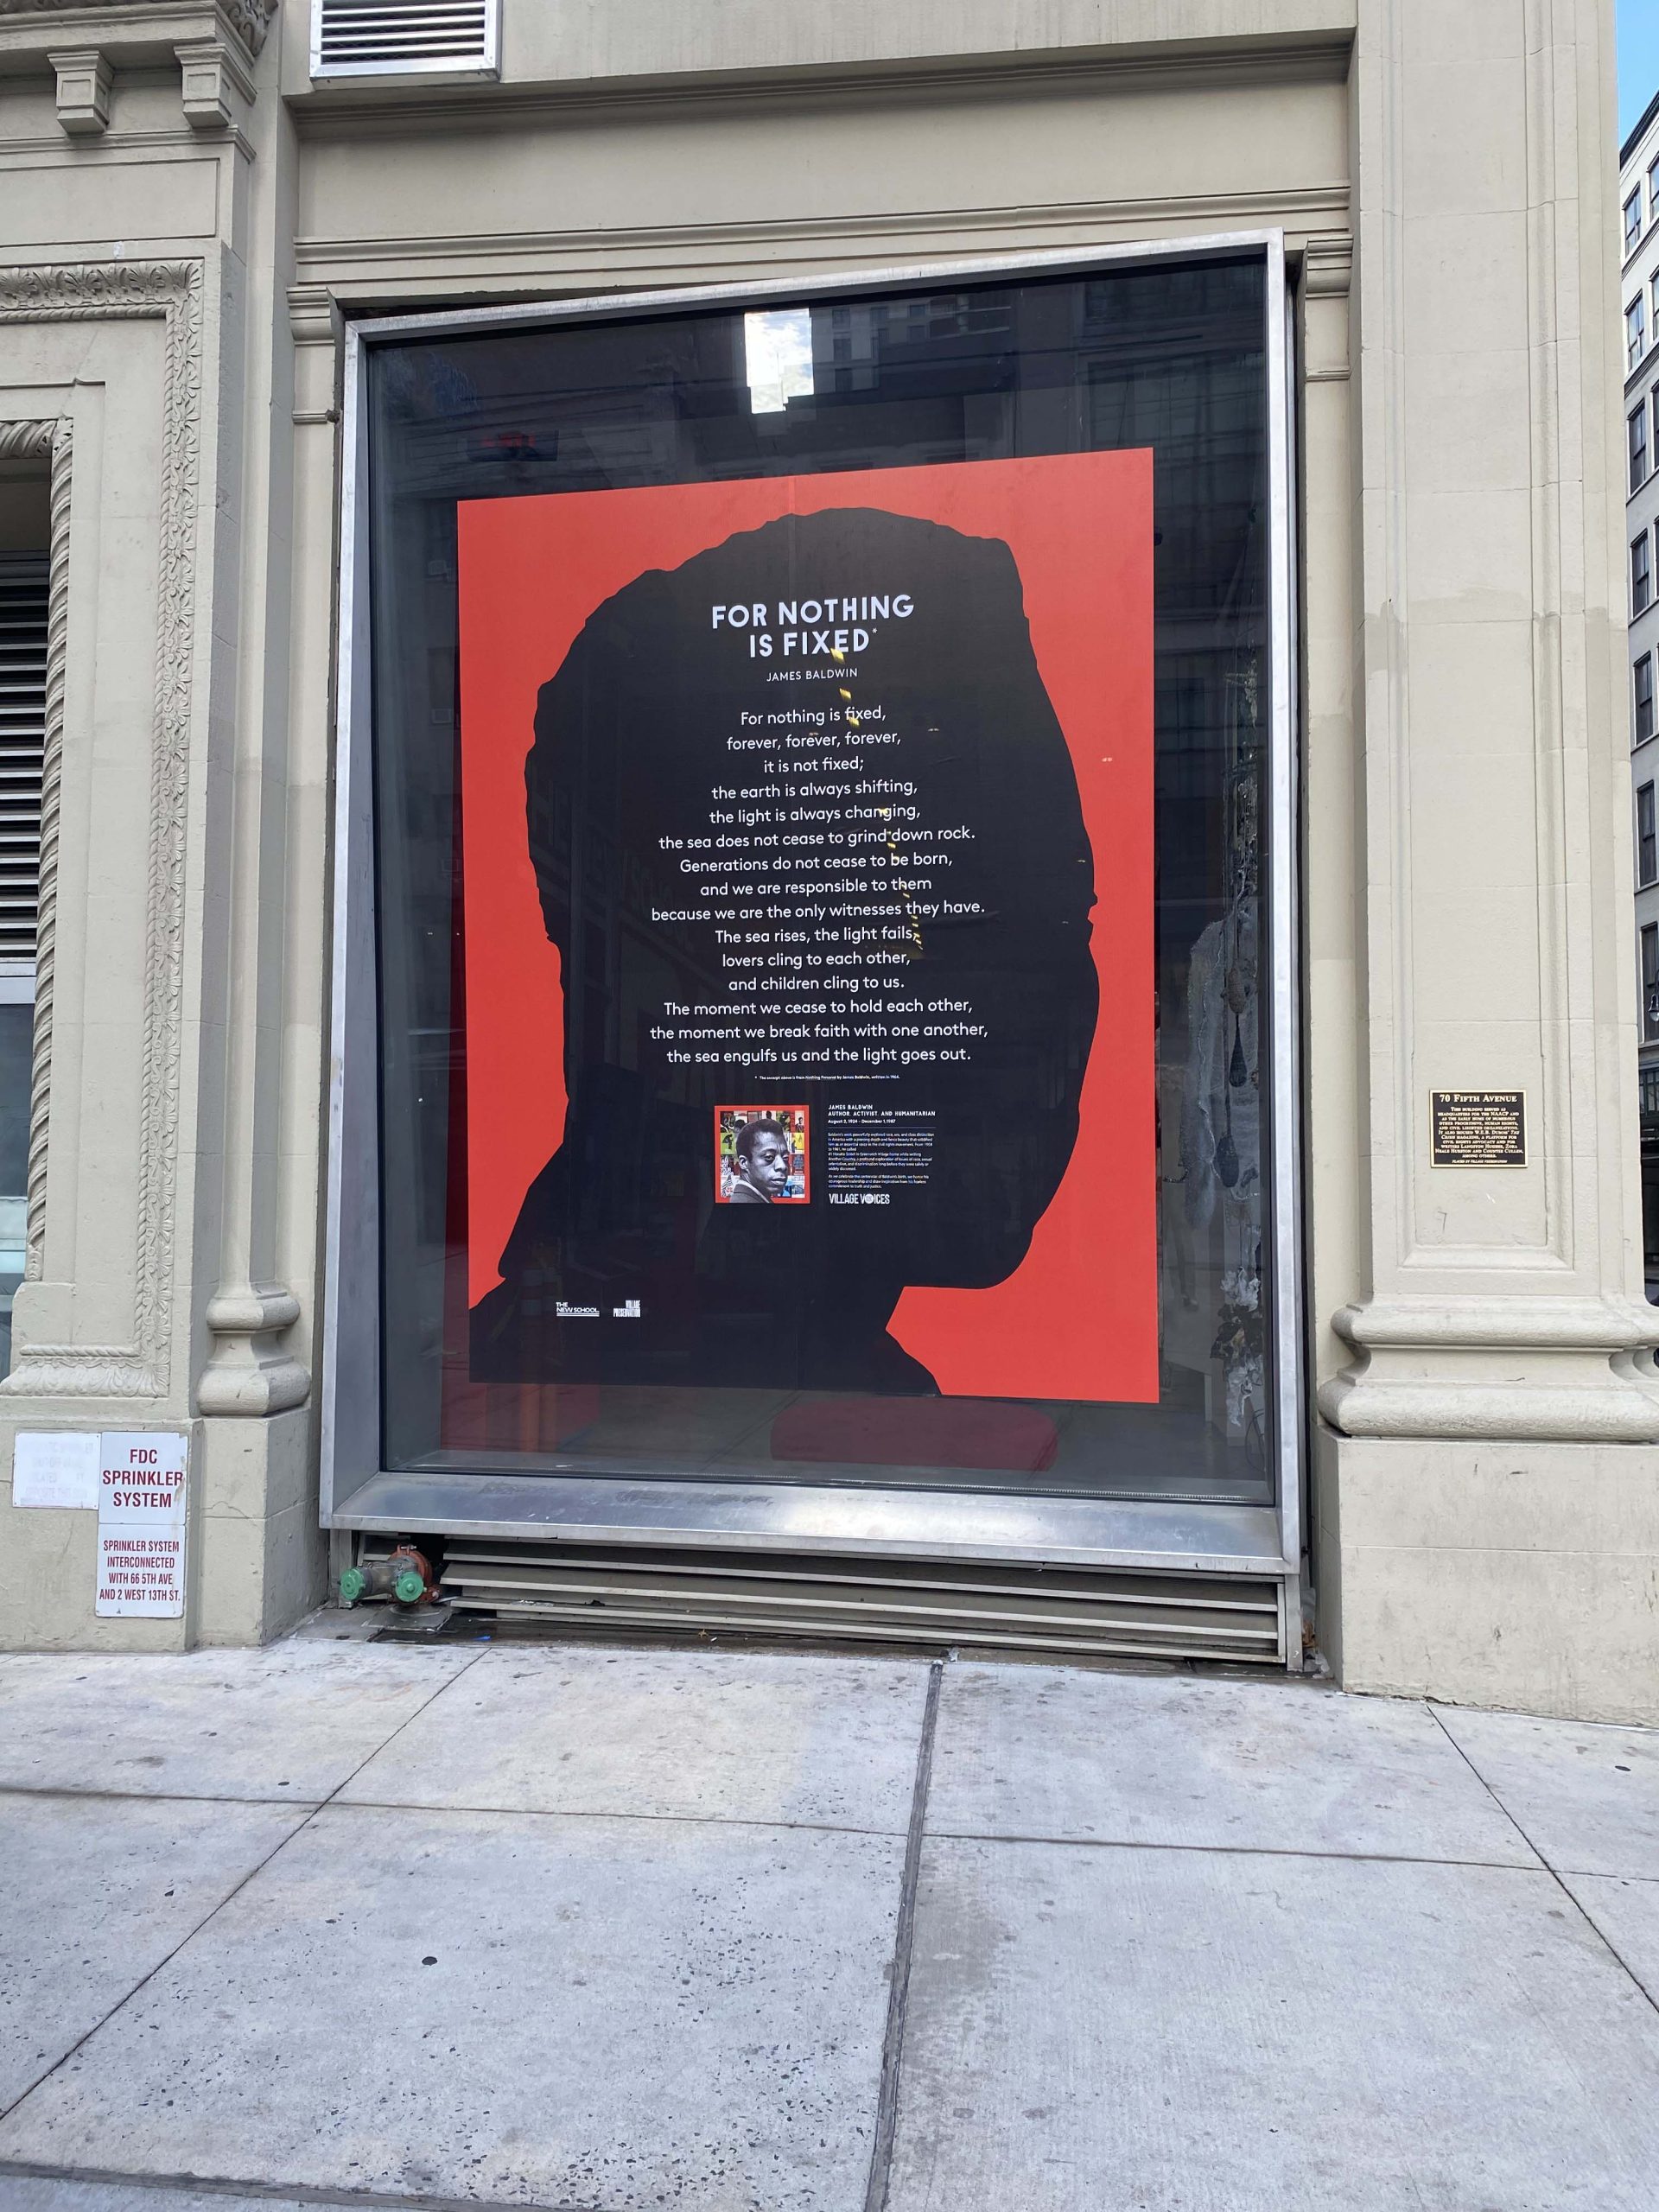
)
(1501, 1304)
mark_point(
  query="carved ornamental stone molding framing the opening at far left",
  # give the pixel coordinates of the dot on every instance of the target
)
(90, 293)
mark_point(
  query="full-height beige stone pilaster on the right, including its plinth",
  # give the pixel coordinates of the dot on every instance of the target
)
(1490, 1386)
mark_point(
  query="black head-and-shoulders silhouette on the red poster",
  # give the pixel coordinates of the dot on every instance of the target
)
(632, 735)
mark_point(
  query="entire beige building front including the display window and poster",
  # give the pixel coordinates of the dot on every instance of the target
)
(1196, 1207)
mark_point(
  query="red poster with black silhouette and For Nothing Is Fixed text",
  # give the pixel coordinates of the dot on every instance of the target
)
(808, 932)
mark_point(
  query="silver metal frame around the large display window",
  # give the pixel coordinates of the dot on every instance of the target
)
(1162, 1536)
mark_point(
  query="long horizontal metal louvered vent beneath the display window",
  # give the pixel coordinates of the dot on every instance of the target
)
(939, 1603)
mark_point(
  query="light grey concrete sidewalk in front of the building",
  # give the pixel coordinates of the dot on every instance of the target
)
(355, 1923)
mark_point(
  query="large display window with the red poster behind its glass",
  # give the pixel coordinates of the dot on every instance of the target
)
(811, 977)
